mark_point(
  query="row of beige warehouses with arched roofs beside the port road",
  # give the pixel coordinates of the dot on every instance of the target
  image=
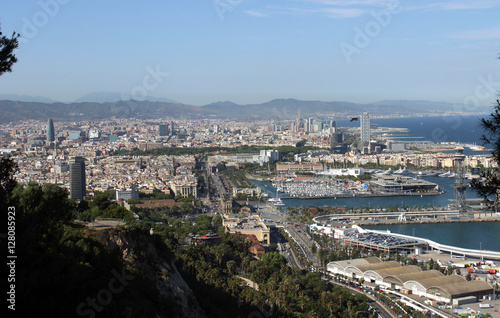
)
(411, 279)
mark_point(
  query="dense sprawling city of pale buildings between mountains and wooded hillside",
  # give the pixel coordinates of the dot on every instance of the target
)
(168, 169)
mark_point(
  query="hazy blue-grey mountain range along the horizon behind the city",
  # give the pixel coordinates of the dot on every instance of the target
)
(280, 110)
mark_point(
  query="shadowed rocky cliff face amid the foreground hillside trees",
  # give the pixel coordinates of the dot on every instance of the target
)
(149, 257)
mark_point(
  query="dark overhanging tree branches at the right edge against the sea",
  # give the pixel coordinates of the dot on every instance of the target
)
(488, 185)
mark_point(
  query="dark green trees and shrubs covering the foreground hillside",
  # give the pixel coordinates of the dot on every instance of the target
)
(66, 266)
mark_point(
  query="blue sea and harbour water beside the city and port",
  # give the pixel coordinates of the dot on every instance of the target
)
(459, 129)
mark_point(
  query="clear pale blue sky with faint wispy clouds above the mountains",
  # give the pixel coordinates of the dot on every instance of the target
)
(252, 51)
